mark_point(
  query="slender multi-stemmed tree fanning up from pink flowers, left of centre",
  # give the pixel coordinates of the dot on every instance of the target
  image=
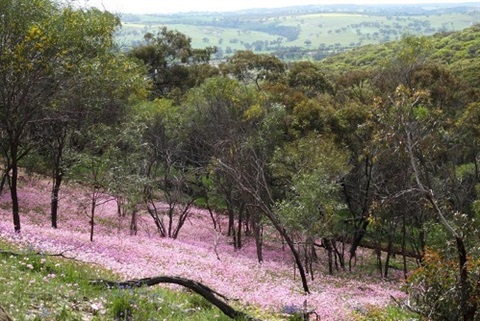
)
(172, 176)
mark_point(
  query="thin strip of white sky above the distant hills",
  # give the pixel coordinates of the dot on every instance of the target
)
(172, 6)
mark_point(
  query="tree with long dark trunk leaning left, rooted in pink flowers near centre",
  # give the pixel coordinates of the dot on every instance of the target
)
(235, 129)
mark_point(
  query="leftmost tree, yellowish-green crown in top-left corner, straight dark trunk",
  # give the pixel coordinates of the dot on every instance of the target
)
(42, 44)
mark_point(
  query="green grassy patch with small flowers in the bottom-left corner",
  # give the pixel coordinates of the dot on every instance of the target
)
(35, 287)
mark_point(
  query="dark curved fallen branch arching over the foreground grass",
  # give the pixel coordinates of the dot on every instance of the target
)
(209, 294)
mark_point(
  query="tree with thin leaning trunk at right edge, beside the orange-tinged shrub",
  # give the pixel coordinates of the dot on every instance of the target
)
(423, 134)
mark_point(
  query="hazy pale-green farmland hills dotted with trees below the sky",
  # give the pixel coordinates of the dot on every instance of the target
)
(300, 32)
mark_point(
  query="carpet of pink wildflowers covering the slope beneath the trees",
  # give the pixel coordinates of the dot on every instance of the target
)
(199, 253)
